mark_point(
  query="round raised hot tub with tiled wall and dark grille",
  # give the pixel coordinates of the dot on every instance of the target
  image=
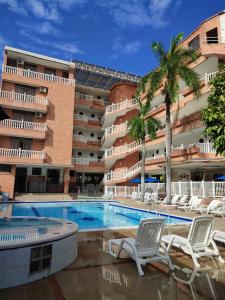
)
(33, 248)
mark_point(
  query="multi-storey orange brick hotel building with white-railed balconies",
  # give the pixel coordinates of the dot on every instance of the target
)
(64, 124)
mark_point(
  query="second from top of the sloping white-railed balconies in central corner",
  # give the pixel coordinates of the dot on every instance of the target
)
(114, 132)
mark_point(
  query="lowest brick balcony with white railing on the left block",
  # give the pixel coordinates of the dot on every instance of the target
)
(19, 156)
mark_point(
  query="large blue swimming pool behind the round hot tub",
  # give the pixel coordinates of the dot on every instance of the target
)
(91, 215)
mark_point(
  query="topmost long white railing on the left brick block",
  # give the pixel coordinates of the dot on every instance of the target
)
(37, 75)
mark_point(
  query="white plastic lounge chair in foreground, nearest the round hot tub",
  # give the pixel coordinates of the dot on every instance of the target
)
(147, 247)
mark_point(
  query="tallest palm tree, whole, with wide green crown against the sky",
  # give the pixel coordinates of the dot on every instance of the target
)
(173, 65)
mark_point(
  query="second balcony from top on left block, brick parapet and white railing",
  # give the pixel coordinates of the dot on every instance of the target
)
(23, 102)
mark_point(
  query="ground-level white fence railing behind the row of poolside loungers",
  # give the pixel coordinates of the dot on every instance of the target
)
(191, 188)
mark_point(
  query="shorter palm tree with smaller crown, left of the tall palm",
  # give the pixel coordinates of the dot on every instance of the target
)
(139, 128)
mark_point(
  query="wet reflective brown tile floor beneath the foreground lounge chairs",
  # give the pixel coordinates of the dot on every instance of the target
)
(96, 275)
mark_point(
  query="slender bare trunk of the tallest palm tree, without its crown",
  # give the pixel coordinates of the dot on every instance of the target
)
(168, 135)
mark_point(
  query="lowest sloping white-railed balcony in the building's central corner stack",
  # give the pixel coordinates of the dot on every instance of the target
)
(123, 175)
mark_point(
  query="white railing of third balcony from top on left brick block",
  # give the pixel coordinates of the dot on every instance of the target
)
(23, 125)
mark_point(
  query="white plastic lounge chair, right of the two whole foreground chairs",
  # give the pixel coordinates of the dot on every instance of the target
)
(198, 242)
